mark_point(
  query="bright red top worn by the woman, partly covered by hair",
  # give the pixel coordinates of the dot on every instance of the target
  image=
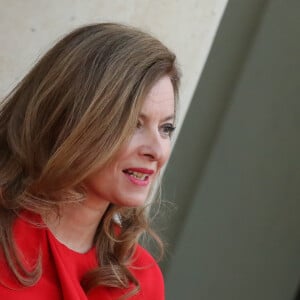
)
(63, 268)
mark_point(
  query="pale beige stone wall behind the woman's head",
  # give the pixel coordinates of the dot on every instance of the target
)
(28, 28)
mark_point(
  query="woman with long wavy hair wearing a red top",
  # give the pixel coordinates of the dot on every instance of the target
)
(83, 138)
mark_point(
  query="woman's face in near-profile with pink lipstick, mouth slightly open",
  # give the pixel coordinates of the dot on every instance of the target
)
(127, 180)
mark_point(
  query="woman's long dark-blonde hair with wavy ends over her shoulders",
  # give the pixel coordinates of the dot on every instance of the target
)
(65, 119)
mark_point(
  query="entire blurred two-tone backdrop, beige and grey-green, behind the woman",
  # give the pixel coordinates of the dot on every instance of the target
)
(233, 230)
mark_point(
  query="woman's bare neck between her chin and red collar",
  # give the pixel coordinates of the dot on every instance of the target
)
(77, 225)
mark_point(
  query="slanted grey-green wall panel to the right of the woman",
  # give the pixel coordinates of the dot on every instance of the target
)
(235, 170)
